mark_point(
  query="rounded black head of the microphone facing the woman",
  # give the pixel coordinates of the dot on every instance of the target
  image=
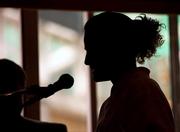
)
(65, 81)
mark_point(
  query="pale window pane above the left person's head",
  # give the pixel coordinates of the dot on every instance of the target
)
(10, 35)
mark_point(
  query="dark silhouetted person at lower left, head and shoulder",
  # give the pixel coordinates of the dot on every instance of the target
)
(12, 78)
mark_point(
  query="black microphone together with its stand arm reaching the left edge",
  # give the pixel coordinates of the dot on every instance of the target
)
(36, 92)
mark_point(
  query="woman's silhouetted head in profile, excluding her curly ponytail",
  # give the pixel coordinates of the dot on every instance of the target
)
(107, 42)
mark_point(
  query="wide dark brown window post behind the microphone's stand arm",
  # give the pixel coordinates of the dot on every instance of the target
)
(29, 22)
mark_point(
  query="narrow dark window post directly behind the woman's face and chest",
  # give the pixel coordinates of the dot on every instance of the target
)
(93, 98)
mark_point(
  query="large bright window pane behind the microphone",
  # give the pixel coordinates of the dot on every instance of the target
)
(61, 51)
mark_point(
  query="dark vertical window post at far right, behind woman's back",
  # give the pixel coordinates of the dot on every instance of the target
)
(174, 58)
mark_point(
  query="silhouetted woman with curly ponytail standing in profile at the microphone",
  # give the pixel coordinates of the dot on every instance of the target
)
(113, 44)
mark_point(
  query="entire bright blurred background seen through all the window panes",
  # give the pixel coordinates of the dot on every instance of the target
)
(61, 51)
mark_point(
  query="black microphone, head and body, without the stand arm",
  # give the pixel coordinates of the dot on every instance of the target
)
(65, 81)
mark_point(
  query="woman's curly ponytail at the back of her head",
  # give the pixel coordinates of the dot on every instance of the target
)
(149, 37)
